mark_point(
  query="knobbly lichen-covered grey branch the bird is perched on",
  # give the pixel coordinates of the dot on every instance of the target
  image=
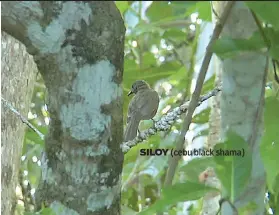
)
(165, 122)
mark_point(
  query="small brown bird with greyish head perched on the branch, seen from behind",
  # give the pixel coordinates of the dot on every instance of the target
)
(143, 106)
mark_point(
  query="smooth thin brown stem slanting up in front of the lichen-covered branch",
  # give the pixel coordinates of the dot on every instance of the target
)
(195, 96)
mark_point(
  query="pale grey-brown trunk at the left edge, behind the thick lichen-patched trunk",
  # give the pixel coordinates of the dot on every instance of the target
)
(17, 84)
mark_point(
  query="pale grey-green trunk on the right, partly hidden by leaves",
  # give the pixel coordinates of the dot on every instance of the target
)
(242, 101)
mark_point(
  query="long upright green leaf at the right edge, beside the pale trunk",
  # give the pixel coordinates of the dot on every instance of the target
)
(270, 141)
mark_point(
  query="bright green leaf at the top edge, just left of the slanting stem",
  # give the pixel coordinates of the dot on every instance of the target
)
(203, 8)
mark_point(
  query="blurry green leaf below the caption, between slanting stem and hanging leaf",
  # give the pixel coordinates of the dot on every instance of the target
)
(197, 165)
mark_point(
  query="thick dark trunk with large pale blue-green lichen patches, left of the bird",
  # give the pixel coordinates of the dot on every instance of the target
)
(79, 50)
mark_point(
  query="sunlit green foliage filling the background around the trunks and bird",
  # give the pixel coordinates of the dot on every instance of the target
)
(160, 47)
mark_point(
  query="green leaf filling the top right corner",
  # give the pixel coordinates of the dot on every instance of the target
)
(266, 11)
